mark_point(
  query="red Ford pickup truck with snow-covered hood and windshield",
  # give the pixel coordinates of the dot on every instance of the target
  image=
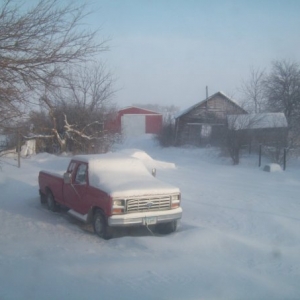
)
(112, 190)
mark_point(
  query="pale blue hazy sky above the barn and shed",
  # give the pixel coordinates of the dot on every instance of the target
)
(167, 51)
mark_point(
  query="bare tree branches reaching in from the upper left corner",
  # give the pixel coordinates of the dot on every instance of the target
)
(36, 46)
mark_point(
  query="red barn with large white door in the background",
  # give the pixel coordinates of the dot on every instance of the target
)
(134, 121)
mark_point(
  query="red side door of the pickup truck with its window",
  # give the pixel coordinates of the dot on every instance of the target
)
(75, 193)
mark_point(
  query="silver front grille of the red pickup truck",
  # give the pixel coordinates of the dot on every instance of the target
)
(148, 204)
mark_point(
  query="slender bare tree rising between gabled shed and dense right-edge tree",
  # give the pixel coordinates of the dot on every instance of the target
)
(253, 91)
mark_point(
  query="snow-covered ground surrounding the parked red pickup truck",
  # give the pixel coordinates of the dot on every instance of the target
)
(239, 237)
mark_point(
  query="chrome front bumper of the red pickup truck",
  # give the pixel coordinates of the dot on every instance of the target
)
(142, 217)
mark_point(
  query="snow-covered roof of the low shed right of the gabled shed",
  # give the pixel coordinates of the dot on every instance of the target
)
(257, 121)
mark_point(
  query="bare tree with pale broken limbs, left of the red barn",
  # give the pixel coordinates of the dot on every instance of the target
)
(77, 111)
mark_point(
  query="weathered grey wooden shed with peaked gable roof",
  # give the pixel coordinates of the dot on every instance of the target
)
(206, 122)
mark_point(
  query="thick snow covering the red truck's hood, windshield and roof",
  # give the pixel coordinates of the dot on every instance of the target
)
(120, 175)
